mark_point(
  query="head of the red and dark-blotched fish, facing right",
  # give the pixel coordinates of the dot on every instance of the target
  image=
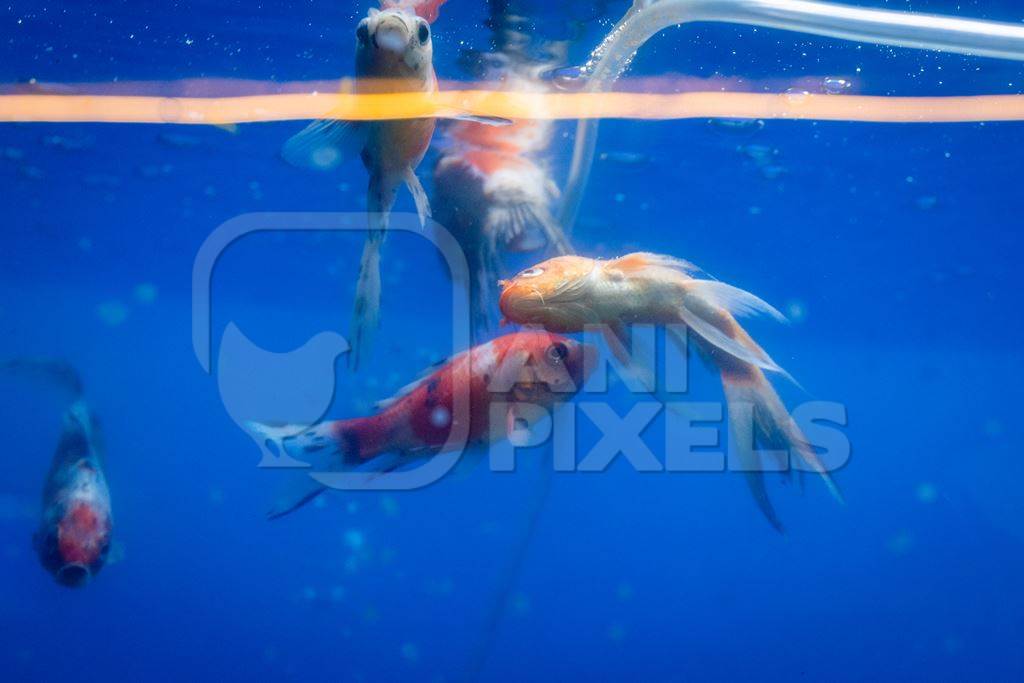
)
(542, 367)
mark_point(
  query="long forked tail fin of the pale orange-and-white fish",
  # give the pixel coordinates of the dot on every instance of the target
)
(758, 418)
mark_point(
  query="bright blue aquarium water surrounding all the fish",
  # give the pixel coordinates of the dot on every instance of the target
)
(895, 249)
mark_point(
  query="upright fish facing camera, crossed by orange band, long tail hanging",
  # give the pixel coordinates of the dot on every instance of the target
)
(394, 54)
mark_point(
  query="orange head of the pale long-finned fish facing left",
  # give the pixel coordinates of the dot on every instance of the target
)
(554, 294)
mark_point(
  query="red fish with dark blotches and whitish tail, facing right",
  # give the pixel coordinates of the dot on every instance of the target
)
(525, 368)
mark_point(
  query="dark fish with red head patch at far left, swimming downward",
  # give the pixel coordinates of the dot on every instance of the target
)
(75, 531)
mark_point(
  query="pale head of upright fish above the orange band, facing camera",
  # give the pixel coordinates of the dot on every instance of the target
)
(394, 45)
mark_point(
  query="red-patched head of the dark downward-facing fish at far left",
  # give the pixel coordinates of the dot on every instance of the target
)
(75, 537)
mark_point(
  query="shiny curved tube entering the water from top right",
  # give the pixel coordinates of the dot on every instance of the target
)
(647, 18)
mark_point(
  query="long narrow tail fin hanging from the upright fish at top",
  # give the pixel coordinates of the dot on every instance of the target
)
(366, 315)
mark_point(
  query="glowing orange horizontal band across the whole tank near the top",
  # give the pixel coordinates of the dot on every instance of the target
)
(215, 111)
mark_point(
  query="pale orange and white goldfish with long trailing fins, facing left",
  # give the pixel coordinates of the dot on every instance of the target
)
(568, 293)
